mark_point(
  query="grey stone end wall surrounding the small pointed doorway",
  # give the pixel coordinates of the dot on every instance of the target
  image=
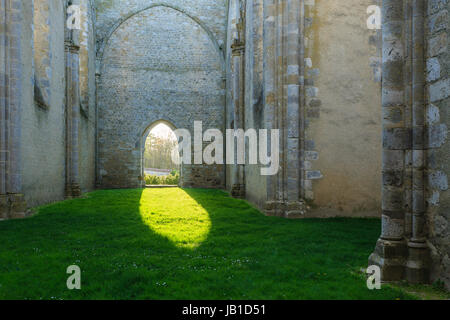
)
(158, 62)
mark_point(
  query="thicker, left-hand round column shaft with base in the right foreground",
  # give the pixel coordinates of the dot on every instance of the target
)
(390, 251)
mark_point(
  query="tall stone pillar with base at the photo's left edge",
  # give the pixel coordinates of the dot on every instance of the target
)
(12, 202)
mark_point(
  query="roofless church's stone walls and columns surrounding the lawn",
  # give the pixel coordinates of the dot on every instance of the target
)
(359, 91)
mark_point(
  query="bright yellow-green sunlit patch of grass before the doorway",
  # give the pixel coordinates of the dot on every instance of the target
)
(173, 214)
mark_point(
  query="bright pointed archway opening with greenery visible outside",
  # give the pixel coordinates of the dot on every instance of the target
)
(161, 159)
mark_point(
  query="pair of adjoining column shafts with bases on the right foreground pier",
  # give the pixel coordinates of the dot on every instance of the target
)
(401, 251)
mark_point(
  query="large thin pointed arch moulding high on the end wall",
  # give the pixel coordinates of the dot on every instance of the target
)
(104, 44)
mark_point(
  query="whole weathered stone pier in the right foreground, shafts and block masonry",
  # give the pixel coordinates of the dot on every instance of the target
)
(409, 246)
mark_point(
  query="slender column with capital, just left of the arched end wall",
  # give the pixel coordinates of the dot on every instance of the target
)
(72, 50)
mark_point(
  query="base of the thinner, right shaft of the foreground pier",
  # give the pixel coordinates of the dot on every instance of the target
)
(418, 264)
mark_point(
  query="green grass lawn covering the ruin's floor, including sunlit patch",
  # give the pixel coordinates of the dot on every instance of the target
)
(183, 244)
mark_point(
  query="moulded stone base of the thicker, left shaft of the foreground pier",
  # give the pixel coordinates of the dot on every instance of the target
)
(390, 256)
